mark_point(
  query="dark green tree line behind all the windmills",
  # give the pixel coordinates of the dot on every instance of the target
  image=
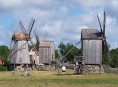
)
(63, 51)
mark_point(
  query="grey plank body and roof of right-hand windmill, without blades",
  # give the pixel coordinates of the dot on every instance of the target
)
(92, 46)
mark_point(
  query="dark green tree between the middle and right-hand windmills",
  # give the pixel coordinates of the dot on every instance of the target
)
(70, 49)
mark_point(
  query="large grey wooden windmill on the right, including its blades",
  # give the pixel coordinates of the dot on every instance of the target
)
(94, 45)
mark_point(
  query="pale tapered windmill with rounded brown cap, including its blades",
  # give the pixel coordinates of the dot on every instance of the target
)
(19, 52)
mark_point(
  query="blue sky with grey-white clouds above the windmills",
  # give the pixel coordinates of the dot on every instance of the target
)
(62, 19)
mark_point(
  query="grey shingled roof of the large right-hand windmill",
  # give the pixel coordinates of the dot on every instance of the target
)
(90, 34)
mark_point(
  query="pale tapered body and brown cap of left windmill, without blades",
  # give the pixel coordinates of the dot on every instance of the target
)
(21, 56)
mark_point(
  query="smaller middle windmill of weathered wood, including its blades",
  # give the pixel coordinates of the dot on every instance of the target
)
(45, 49)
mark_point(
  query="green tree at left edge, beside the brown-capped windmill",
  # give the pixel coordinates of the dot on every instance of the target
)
(4, 53)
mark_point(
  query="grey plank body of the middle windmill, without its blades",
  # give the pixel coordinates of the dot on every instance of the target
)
(46, 52)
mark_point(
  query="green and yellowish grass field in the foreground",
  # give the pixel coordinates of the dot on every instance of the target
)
(51, 79)
